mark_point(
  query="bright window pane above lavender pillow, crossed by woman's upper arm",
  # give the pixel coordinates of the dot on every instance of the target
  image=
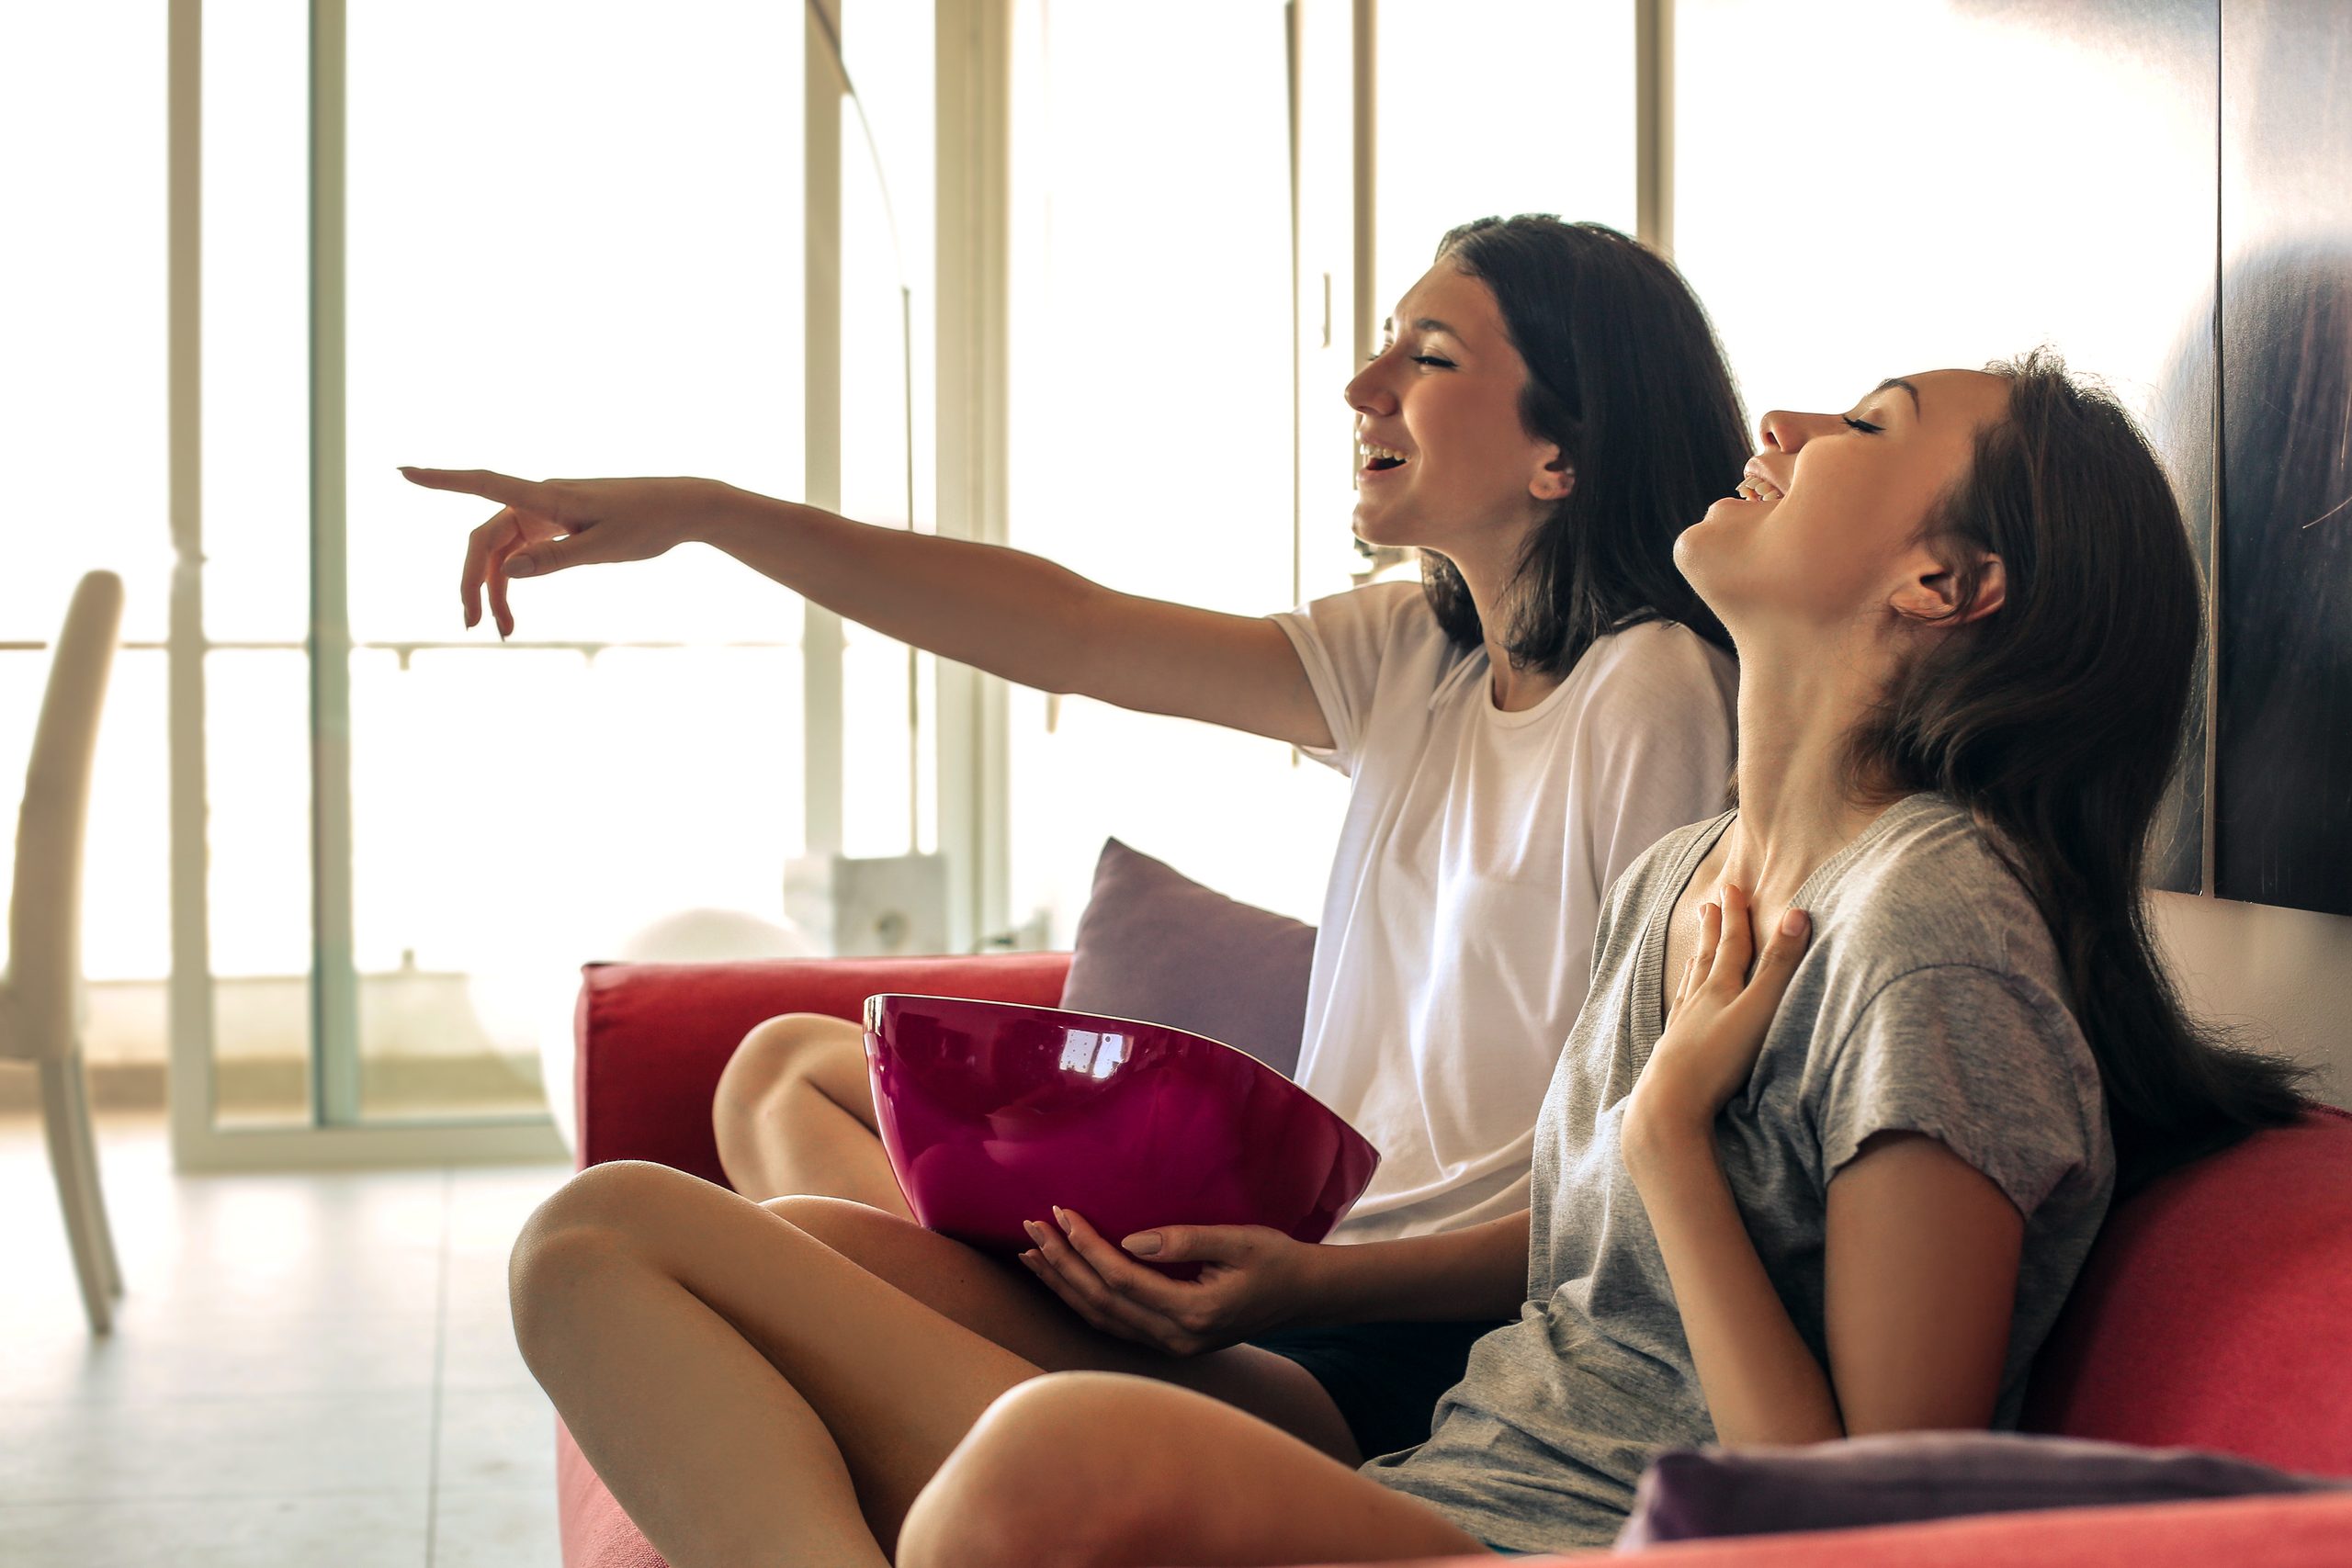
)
(1151, 427)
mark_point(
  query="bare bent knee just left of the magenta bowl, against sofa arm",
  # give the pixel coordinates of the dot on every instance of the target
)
(796, 1113)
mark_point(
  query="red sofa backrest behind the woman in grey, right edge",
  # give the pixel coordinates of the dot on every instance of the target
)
(2217, 1311)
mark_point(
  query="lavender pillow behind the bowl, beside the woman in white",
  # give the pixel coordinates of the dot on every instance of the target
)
(1163, 949)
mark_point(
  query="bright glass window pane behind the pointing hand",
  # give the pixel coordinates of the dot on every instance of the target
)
(573, 248)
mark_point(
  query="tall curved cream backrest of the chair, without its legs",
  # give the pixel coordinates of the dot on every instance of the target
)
(46, 911)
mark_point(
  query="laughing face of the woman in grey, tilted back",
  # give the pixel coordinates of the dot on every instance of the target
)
(1826, 525)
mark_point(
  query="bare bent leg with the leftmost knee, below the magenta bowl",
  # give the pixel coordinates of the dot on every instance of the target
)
(747, 1393)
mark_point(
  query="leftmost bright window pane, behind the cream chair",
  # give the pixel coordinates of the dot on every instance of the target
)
(81, 436)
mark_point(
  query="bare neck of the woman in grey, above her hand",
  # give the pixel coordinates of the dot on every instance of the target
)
(1796, 796)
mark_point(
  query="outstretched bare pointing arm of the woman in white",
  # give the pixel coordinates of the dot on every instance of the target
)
(982, 605)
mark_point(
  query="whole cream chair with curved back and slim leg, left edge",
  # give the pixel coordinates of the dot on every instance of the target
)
(41, 998)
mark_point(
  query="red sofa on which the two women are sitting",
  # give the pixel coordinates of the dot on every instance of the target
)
(2217, 1311)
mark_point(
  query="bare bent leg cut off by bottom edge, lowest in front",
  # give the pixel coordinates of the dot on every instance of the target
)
(1114, 1473)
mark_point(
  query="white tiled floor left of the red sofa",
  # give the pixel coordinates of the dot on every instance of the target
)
(307, 1369)
